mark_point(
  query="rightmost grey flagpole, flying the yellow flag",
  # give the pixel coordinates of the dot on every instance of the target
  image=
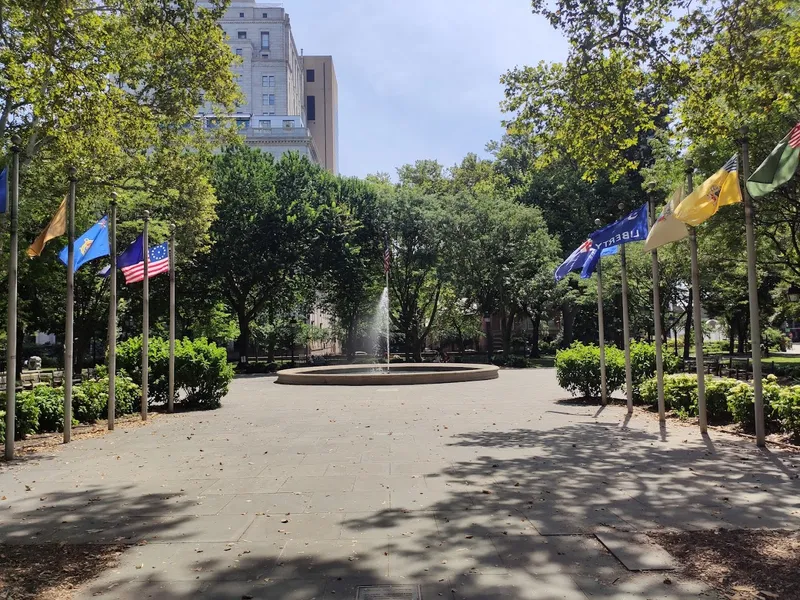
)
(752, 286)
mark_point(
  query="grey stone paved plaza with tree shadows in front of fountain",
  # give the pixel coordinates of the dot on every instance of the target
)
(484, 490)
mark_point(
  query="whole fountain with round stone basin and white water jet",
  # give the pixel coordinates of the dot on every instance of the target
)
(398, 374)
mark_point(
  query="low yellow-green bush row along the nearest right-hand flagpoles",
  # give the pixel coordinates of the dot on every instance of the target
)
(731, 401)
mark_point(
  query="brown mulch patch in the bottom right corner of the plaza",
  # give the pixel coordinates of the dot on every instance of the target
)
(742, 564)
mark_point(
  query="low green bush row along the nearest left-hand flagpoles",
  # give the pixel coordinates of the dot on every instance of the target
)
(41, 409)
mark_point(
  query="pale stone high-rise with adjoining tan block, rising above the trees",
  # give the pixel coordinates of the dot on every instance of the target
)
(274, 78)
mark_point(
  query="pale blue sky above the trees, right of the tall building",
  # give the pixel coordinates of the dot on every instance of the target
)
(419, 78)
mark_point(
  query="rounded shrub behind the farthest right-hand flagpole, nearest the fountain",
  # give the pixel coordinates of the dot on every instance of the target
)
(578, 369)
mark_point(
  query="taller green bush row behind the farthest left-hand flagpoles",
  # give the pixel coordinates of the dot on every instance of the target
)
(202, 371)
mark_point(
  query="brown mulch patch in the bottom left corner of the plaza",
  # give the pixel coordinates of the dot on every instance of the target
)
(52, 571)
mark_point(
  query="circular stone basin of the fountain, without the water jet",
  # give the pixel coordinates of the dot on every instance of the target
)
(399, 374)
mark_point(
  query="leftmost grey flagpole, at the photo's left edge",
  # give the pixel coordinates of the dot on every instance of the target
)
(11, 326)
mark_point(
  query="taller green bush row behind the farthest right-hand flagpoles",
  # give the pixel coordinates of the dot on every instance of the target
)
(578, 368)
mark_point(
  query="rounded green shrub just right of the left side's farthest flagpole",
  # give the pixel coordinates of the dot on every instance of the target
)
(202, 370)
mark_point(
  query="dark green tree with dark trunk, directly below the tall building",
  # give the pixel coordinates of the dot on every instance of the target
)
(264, 232)
